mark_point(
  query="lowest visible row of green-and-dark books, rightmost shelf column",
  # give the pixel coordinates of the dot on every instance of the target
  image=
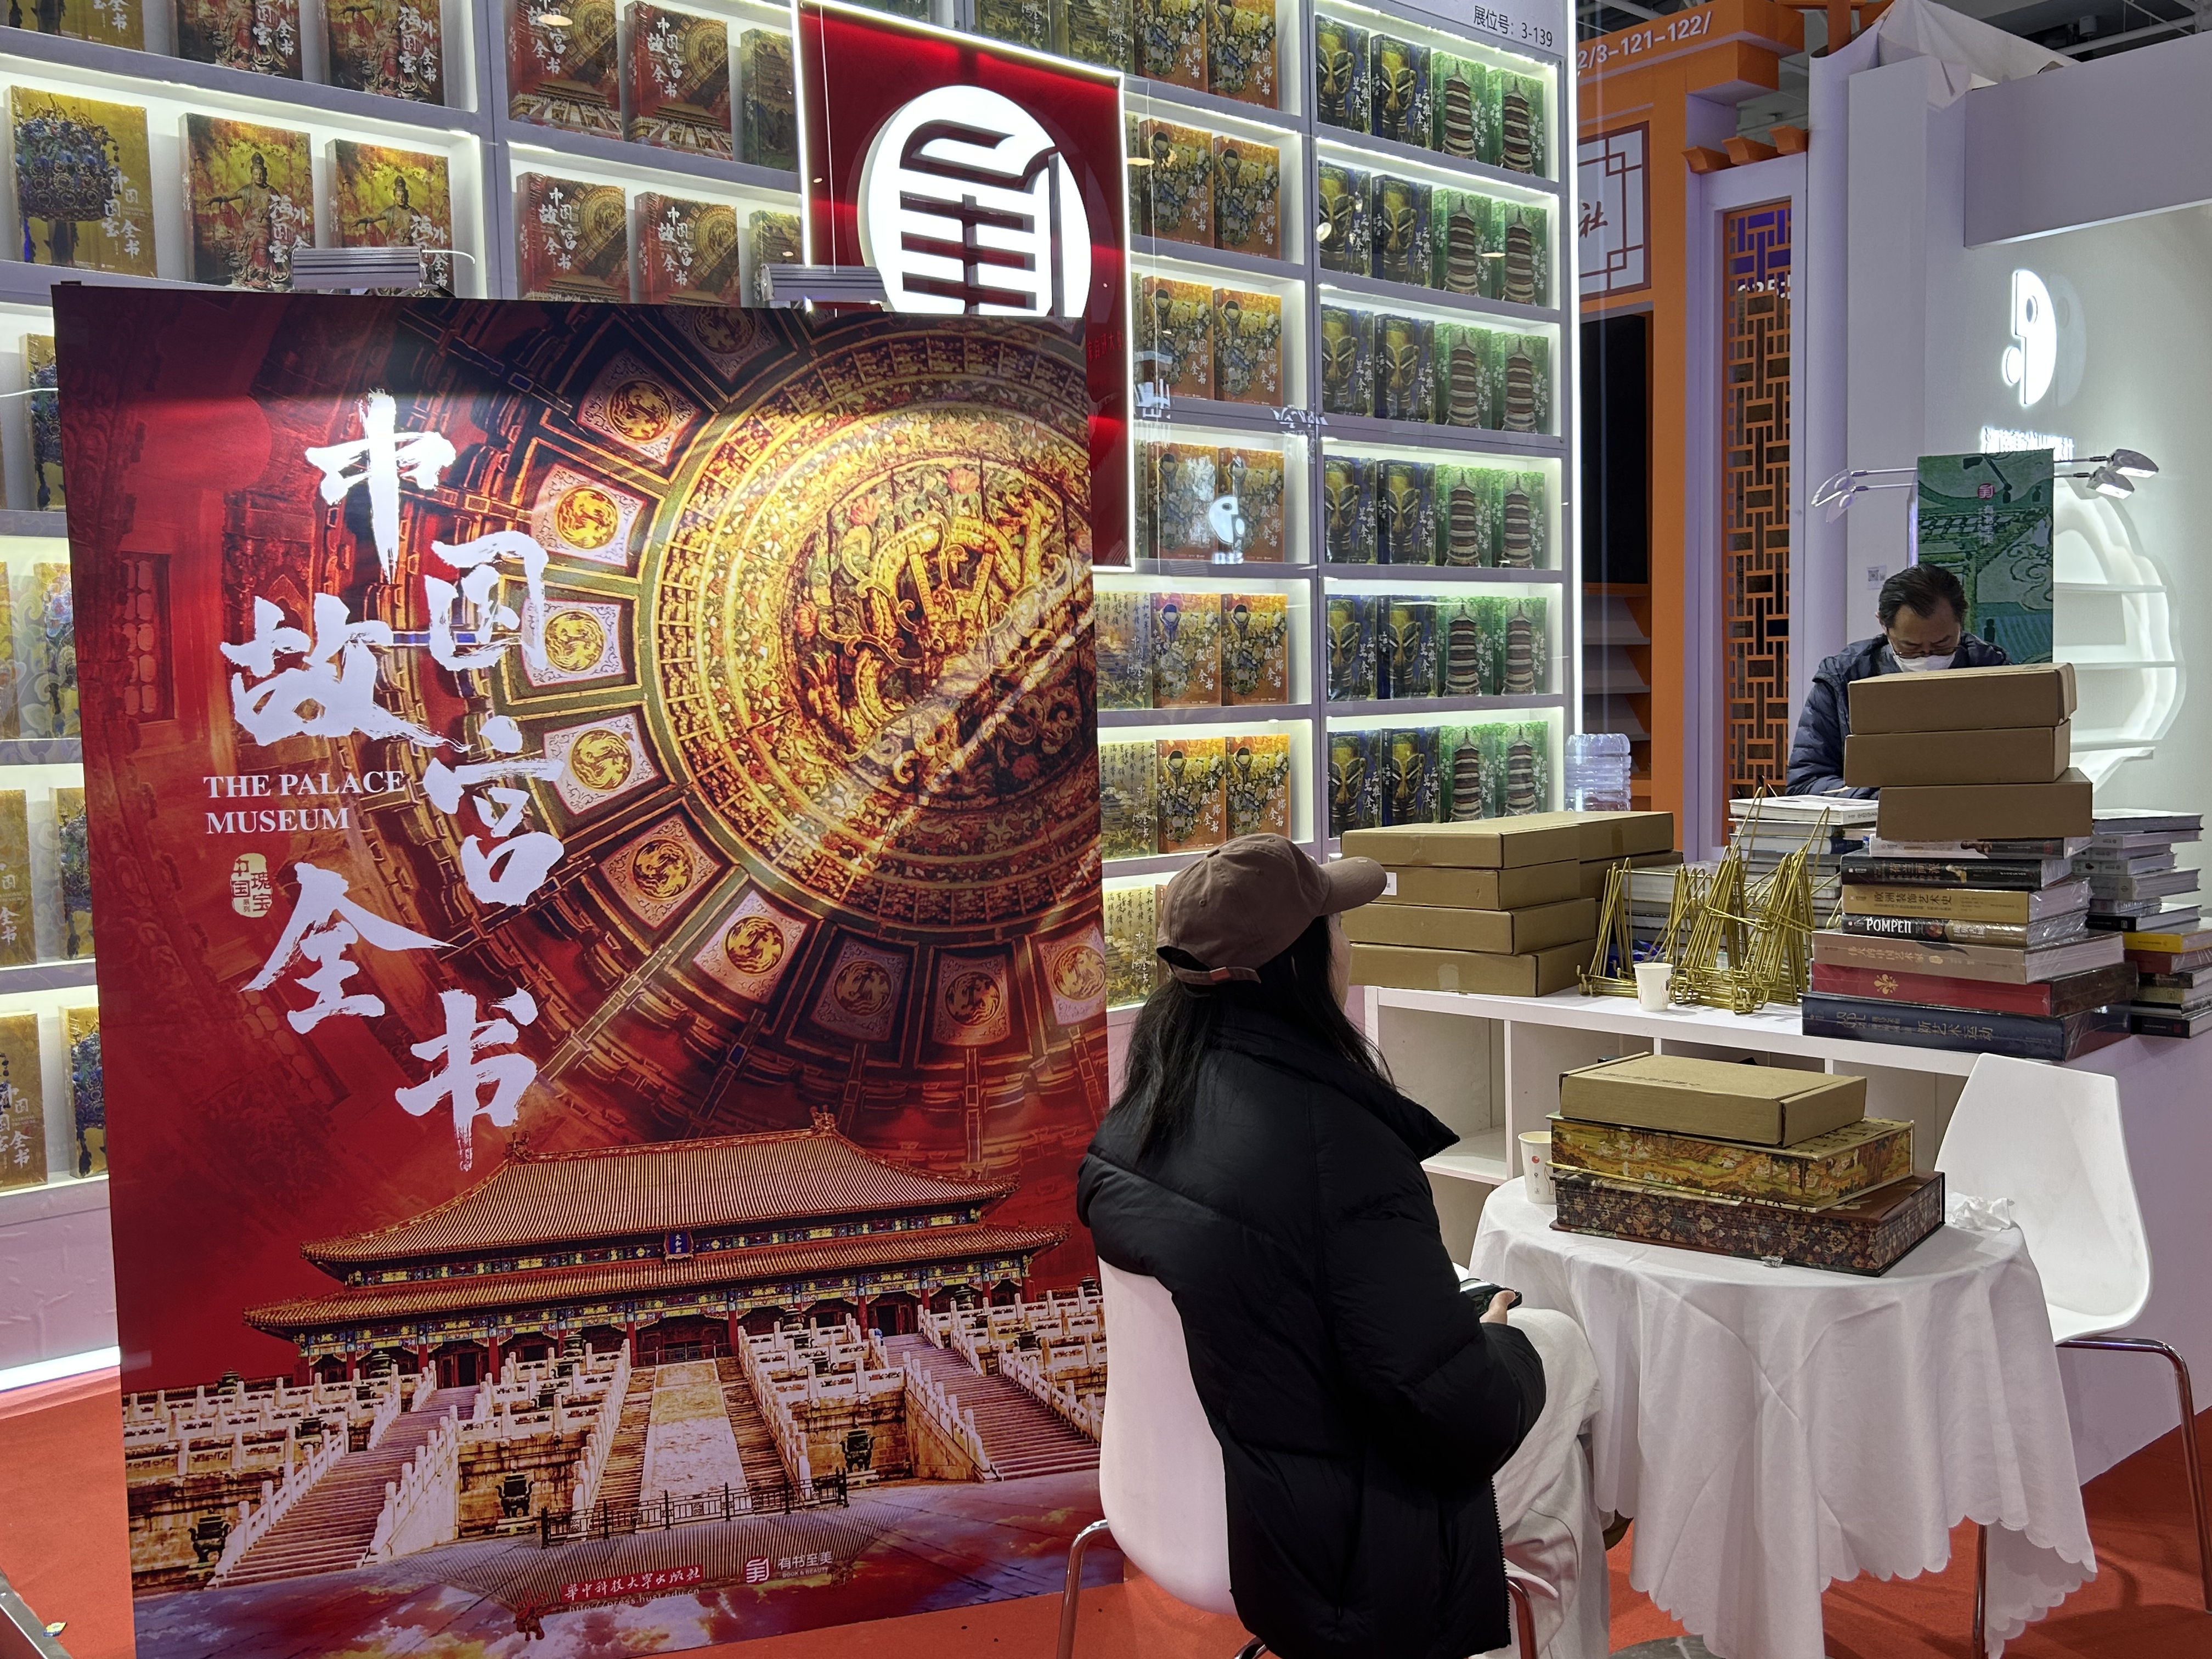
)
(1406, 775)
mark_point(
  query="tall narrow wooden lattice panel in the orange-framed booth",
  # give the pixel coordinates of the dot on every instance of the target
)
(1755, 494)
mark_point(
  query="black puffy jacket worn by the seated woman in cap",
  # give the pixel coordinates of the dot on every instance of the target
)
(1359, 1401)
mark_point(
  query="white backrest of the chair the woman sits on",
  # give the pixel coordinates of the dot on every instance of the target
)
(1160, 1465)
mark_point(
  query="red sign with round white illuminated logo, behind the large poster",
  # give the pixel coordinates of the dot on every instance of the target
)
(981, 182)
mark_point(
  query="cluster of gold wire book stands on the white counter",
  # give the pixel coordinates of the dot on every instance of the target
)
(1731, 941)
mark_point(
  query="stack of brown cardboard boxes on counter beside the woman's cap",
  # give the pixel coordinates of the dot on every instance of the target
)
(1499, 906)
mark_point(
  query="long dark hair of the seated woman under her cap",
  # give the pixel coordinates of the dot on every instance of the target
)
(1180, 1025)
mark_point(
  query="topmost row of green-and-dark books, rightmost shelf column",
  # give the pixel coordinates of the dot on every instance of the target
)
(1410, 94)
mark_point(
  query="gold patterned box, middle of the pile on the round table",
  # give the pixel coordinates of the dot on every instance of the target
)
(1815, 1173)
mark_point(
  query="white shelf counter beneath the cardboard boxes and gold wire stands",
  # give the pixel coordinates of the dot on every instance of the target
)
(1490, 1067)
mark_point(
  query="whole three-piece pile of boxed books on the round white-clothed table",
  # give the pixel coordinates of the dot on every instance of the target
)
(1740, 1162)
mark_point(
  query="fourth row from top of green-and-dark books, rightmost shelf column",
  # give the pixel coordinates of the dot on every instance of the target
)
(1417, 512)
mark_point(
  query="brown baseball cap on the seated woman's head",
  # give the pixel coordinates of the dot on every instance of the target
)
(1246, 904)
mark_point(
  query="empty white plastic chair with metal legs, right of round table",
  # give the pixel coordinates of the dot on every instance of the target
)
(2052, 1142)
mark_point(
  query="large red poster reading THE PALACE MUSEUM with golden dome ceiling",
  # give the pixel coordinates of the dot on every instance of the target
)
(594, 826)
